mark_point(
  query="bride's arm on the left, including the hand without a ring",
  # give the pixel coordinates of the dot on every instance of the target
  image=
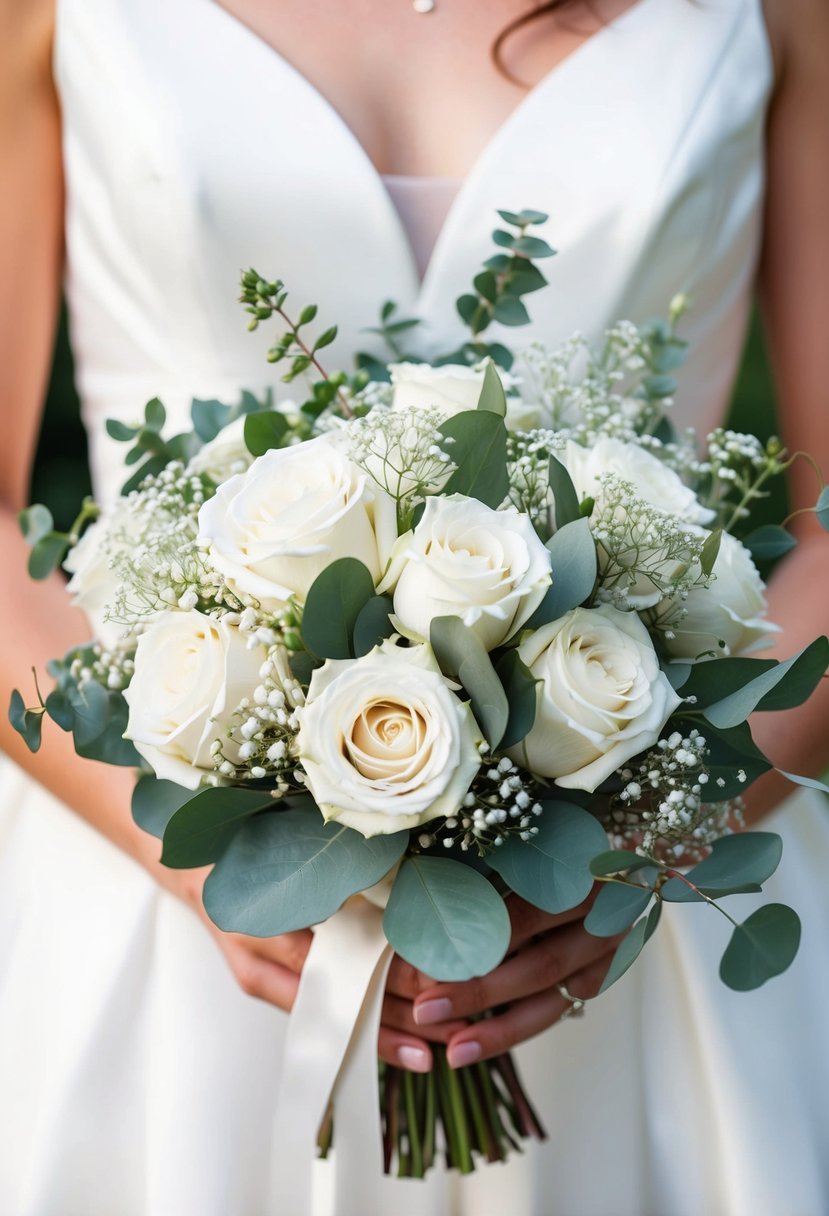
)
(37, 621)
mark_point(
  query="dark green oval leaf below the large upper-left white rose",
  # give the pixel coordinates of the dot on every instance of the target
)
(335, 601)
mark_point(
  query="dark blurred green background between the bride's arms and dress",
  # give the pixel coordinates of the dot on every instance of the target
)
(61, 478)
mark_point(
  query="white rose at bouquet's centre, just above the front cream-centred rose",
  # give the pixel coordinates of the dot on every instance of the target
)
(465, 560)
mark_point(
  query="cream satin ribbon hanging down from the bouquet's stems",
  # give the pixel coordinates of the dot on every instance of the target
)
(331, 1056)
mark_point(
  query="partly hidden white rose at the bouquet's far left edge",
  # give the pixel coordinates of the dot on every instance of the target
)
(94, 584)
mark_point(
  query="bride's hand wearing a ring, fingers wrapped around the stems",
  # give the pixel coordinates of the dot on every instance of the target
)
(545, 953)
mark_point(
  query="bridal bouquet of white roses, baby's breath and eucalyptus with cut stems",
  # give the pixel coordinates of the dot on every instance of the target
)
(445, 632)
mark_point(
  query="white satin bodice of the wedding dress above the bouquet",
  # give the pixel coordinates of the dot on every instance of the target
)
(195, 150)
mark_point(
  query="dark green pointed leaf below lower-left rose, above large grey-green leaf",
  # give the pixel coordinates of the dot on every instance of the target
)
(204, 826)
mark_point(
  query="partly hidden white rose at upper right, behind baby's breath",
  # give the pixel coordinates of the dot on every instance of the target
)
(652, 480)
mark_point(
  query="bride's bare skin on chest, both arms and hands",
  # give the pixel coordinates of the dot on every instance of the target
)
(382, 98)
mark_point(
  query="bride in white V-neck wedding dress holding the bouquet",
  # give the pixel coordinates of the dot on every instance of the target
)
(676, 145)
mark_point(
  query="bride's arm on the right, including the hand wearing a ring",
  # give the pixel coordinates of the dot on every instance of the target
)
(796, 296)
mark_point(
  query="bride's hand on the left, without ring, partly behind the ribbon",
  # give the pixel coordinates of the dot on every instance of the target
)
(269, 969)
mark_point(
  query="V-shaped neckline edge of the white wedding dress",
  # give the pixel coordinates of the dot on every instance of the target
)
(481, 164)
